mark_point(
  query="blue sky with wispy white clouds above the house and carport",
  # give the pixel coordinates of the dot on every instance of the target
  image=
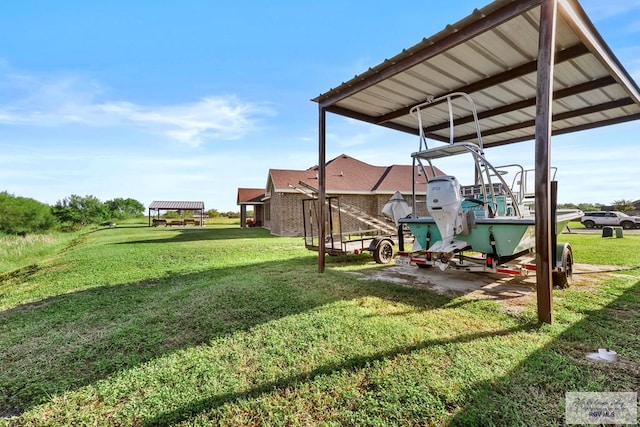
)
(191, 99)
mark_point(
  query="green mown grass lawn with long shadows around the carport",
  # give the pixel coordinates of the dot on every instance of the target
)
(142, 326)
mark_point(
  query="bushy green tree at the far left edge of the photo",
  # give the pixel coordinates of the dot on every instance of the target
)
(22, 215)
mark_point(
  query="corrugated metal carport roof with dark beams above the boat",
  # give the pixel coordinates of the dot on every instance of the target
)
(492, 56)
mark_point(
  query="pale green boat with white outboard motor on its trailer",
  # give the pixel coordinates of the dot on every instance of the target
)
(487, 225)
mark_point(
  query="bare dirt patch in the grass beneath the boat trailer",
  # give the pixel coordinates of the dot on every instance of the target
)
(515, 292)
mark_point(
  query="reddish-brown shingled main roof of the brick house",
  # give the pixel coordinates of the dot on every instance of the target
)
(347, 175)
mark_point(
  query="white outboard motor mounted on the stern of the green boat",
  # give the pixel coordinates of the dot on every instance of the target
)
(444, 201)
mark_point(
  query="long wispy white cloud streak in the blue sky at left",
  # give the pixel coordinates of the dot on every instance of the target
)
(75, 101)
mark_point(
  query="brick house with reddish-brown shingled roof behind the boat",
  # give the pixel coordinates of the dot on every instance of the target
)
(358, 184)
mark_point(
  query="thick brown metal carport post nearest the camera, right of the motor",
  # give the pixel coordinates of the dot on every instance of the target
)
(546, 53)
